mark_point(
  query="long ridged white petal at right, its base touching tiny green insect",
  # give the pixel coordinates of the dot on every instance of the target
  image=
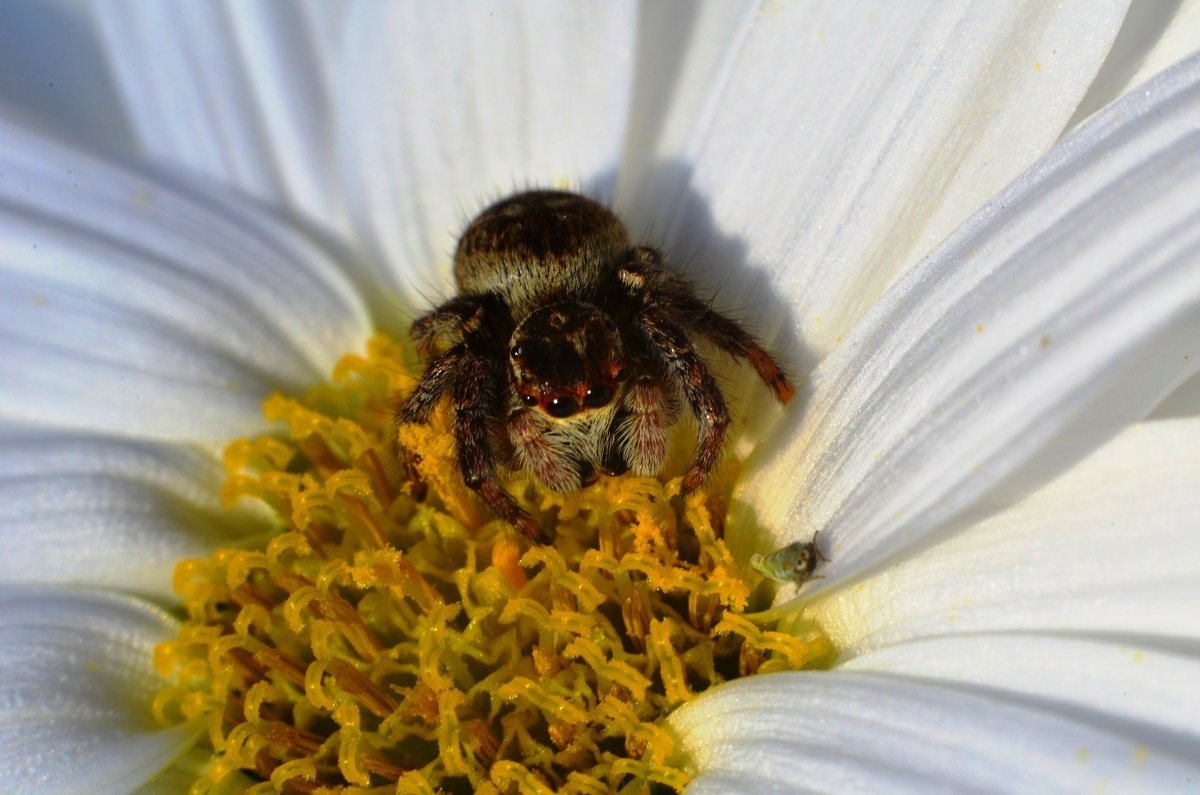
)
(1064, 312)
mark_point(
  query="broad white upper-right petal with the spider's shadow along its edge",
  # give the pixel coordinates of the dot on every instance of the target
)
(850, 141)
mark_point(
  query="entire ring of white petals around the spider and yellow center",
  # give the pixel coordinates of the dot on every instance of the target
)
(974, 229)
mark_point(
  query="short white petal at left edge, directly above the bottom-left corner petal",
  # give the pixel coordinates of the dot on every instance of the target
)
(110, 512)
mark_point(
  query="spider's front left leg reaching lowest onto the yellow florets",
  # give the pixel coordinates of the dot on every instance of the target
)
(472, 398)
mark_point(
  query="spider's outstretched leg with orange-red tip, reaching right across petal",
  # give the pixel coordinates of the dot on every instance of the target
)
(677, 298)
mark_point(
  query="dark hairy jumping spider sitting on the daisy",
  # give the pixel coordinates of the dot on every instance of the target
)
(569, 351)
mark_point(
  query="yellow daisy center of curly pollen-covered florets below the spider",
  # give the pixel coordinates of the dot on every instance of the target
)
(387, 643)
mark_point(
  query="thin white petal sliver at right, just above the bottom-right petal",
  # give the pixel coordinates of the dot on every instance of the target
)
(1145, 682)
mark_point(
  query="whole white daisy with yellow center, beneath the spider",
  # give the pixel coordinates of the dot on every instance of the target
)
(974, 230)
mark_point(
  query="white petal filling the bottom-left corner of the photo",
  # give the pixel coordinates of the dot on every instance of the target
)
(76, 694)
